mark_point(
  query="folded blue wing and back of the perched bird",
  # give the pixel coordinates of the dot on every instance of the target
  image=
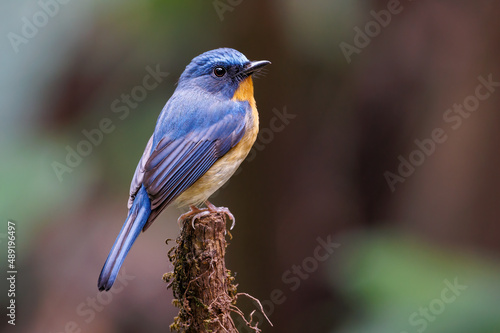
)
(180, 155)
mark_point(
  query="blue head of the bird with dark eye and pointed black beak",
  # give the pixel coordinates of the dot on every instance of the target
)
(219, 71)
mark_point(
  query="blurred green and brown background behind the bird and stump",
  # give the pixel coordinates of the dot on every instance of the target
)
(420, 255)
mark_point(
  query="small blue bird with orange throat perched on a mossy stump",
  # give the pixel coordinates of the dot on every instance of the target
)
(203, 133)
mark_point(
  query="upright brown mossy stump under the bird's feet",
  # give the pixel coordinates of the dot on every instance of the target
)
(203, 287)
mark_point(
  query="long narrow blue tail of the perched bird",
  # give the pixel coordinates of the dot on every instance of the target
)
(136, 219)
